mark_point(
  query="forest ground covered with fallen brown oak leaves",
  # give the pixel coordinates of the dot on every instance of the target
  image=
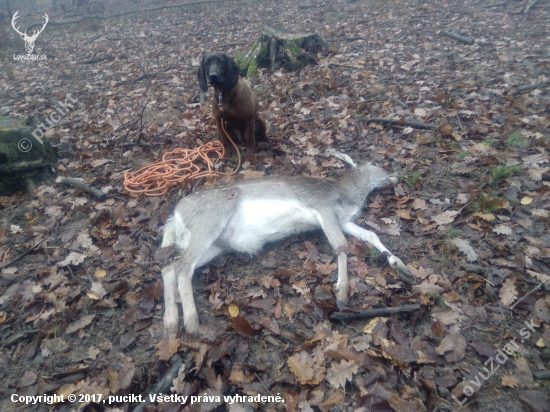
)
(82, 312)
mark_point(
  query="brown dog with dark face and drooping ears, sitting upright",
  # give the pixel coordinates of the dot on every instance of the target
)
(239, 103)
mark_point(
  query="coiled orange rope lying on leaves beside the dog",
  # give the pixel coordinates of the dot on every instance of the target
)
(177, 166)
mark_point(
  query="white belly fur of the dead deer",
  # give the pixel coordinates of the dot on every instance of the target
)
(256, 222)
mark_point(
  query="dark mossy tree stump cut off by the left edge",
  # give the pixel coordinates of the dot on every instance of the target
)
(24, 160)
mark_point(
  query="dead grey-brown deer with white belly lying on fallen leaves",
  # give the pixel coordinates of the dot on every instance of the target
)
(244, 215)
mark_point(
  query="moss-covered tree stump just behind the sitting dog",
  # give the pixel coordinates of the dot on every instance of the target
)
(277, 47)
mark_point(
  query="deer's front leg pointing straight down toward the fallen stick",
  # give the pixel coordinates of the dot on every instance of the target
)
(336, 238)
